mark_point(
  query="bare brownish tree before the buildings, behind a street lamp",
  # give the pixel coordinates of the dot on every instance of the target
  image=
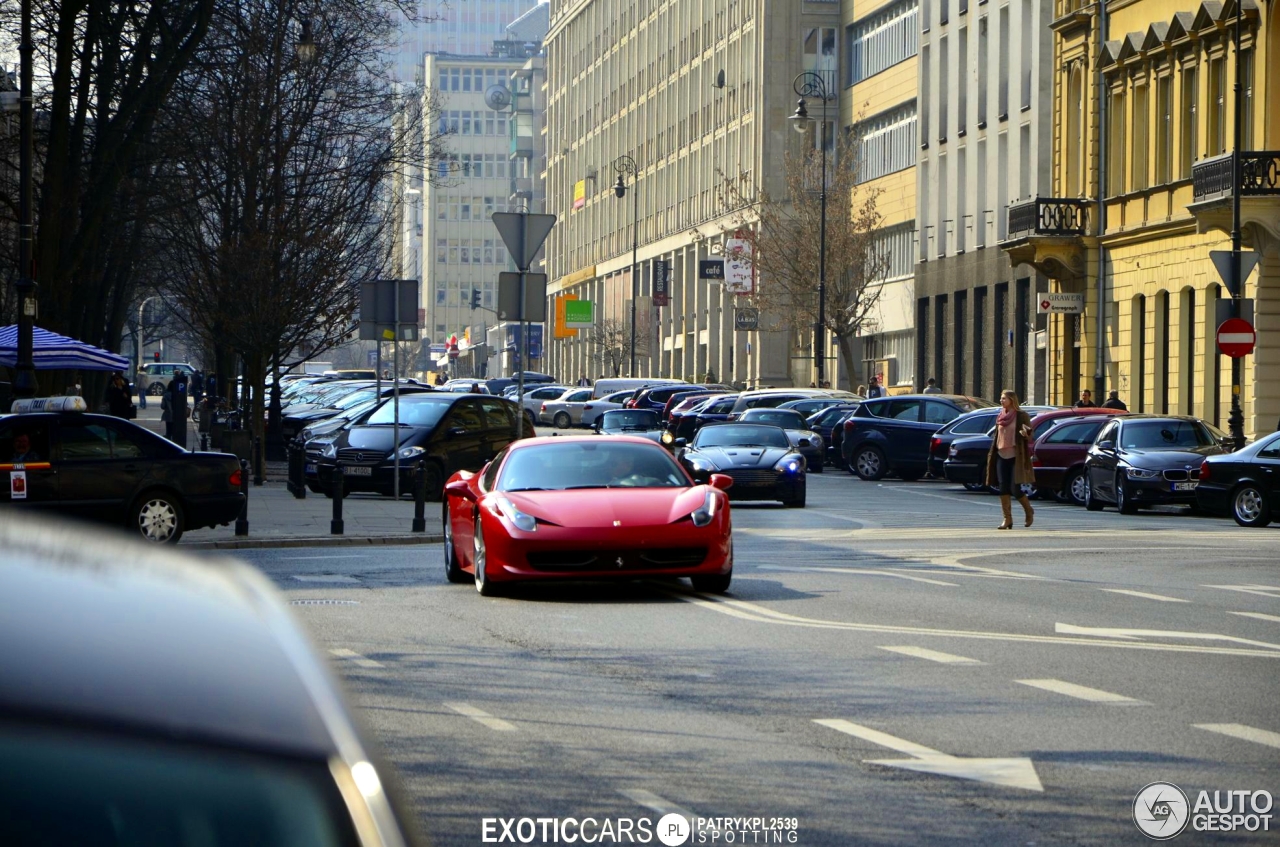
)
(783, 236)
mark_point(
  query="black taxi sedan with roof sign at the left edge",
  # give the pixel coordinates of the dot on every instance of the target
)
(112, 471)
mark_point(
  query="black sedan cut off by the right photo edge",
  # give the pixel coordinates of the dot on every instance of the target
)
(1245, 484)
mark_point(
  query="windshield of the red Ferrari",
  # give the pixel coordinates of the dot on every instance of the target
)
(605, 464)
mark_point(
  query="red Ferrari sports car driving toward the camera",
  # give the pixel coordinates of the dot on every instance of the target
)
(586, 509)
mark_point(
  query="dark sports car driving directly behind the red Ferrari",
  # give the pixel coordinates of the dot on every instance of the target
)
(761, 460)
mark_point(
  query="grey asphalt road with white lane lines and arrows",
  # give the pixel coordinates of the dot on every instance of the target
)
(888, 670)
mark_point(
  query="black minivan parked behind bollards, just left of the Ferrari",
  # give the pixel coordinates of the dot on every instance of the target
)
(449, 432)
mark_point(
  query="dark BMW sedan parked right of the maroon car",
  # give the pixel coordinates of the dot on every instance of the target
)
(1145, 460)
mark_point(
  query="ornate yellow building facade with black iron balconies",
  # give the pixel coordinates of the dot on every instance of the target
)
(1145, 118)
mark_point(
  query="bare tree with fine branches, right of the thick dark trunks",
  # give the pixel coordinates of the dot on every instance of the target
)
(281, 166)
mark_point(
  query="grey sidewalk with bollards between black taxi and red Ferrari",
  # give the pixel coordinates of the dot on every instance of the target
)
(278, 520)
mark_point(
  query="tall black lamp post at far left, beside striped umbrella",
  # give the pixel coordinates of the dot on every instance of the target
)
(25, 367)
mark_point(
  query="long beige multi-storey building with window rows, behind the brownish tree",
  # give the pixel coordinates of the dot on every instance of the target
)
(697, 93)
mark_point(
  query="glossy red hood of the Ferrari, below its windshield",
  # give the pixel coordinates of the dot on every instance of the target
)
(593, 509)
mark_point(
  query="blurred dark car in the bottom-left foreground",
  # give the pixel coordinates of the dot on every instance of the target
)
(153, 699)
